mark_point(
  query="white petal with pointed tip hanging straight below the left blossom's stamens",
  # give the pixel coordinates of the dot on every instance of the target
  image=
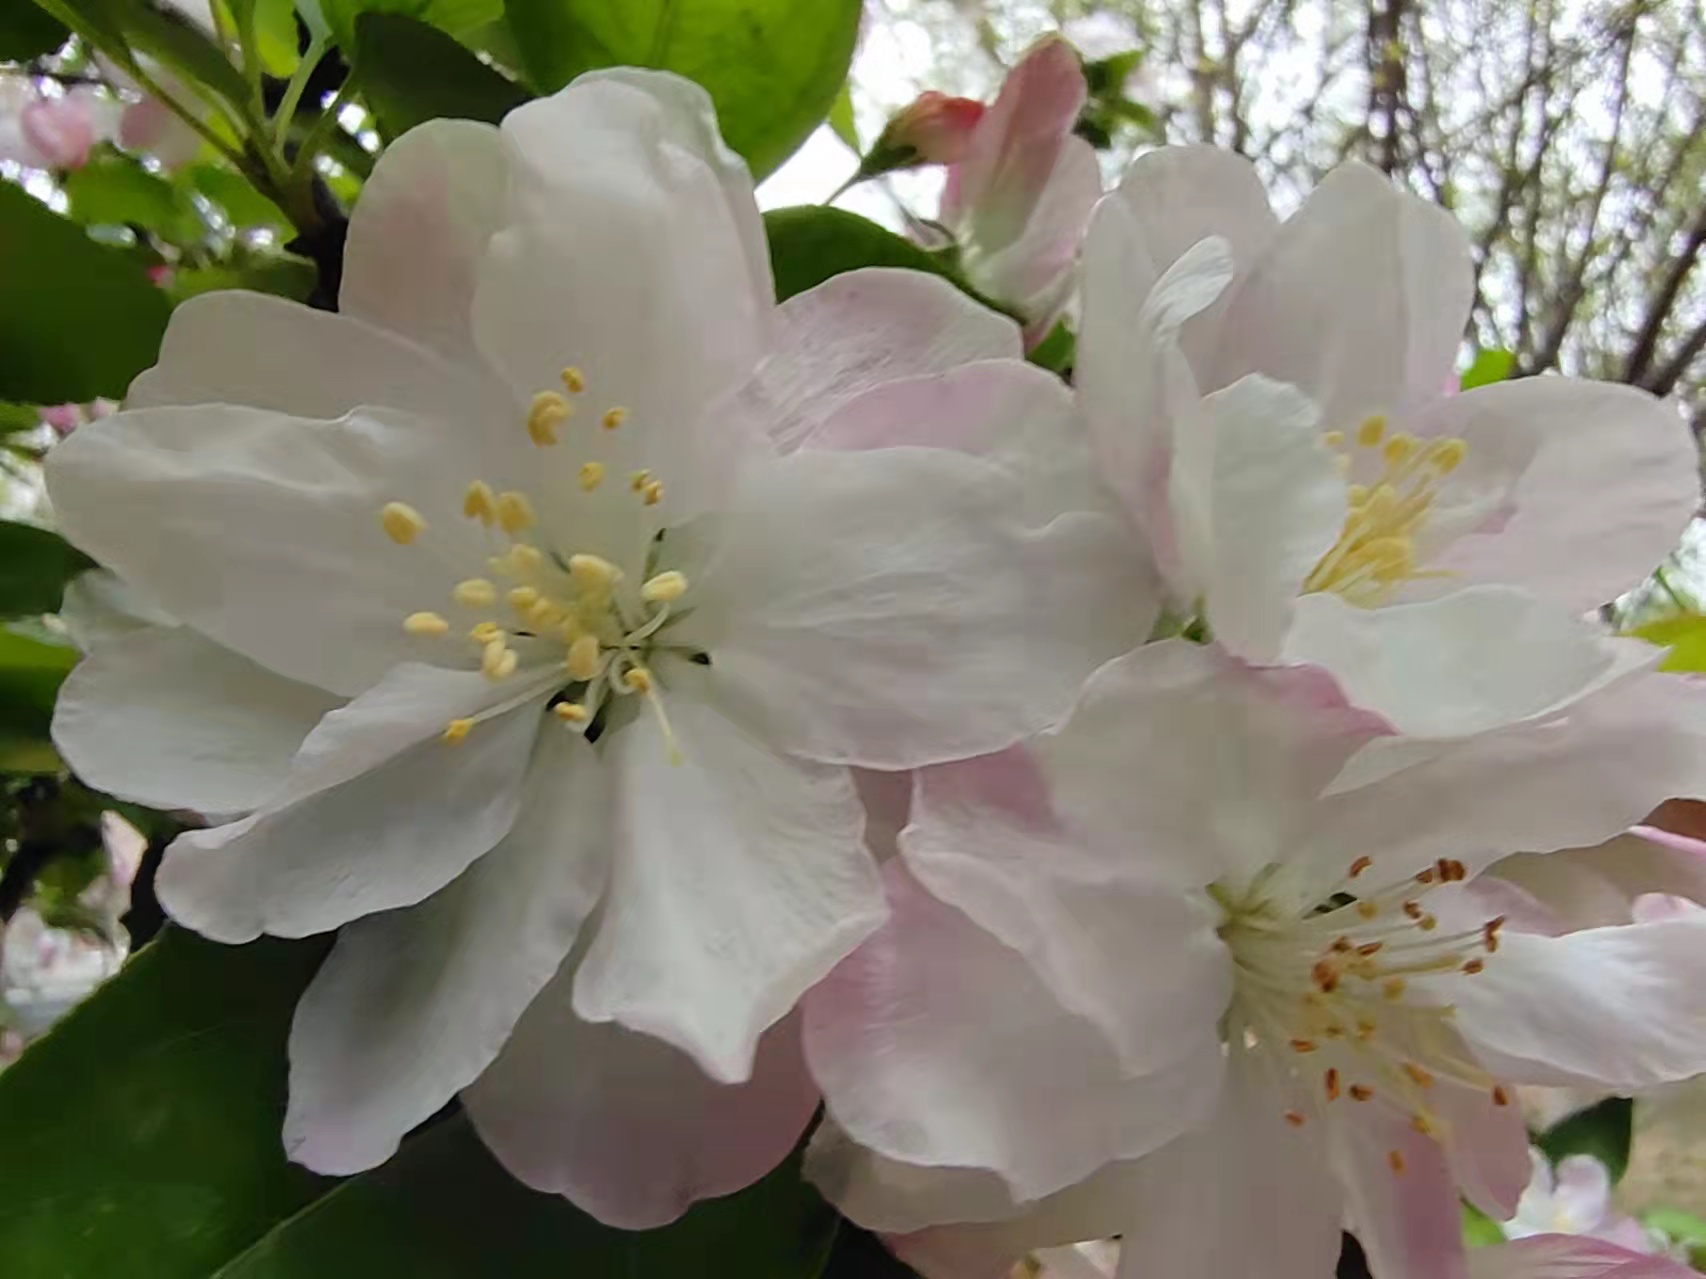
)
(740, 879)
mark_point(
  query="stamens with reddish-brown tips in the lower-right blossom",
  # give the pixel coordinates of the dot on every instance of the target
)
(1330, 990)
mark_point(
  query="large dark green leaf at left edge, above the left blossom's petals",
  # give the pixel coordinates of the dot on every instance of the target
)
(78, 320)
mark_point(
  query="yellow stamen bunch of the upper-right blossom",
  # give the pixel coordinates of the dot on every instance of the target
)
(1378, 547)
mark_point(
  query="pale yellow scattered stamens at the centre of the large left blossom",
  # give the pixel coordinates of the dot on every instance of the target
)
(543, 605)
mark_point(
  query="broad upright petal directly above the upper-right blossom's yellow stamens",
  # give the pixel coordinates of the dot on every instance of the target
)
(1361, 301)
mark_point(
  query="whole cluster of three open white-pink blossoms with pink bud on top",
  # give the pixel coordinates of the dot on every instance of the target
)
(1140, 809)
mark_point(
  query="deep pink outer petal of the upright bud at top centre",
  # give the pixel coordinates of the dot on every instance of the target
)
(1016, 148)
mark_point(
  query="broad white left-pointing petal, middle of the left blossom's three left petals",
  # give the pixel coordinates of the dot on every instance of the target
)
(264, 531)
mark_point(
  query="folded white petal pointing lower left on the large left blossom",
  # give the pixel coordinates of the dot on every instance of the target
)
(380, 813)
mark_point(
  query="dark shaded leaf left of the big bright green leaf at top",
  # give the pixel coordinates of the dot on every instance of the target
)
(414, 74)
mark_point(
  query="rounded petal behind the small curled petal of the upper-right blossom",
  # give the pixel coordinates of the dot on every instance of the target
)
(1181, 195)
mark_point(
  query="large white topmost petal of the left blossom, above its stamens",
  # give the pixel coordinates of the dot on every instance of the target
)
(629, 253)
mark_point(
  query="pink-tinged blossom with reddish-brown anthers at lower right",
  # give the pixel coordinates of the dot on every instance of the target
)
(1175, 973)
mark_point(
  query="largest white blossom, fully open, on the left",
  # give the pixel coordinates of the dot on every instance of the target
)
(526, 644)
